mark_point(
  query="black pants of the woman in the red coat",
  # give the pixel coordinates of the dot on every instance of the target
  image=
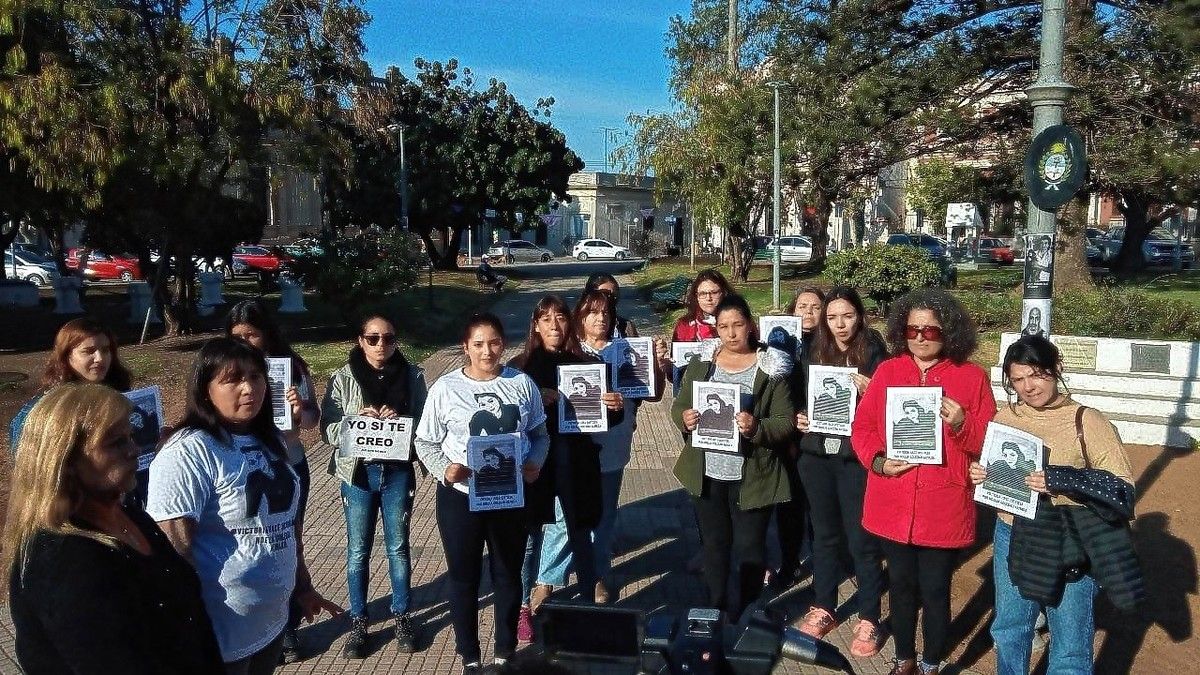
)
(920, 577)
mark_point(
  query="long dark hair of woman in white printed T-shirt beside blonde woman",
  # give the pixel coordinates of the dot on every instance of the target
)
(217, 357)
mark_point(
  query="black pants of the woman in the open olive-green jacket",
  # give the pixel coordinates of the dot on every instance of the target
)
(729, 530)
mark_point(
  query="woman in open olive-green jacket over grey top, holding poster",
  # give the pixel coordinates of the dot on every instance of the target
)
(736, 494)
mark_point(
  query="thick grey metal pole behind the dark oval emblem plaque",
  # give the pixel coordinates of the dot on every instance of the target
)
(1048, 95)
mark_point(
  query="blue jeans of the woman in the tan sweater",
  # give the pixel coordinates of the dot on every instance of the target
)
(1072, 625)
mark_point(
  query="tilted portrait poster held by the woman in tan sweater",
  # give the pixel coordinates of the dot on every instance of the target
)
(1010, 456)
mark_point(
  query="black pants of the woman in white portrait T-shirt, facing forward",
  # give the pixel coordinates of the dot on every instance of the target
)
(464, 535)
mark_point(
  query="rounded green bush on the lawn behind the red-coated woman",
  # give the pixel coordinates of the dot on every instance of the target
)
(883, 273)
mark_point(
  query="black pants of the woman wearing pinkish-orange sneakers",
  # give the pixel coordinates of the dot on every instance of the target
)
(836, 487)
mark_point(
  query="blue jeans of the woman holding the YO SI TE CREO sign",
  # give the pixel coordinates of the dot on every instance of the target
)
(387, 488)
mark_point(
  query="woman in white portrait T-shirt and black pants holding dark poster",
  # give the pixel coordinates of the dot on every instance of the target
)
(442, 440)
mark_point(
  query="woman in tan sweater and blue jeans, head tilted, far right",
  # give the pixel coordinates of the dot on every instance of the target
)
(1033, 369)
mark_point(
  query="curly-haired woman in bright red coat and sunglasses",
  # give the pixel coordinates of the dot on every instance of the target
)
(925, 515)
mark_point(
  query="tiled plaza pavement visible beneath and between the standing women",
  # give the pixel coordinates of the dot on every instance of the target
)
(656, 524)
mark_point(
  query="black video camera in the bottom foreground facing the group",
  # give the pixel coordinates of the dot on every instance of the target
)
(698, 641)
